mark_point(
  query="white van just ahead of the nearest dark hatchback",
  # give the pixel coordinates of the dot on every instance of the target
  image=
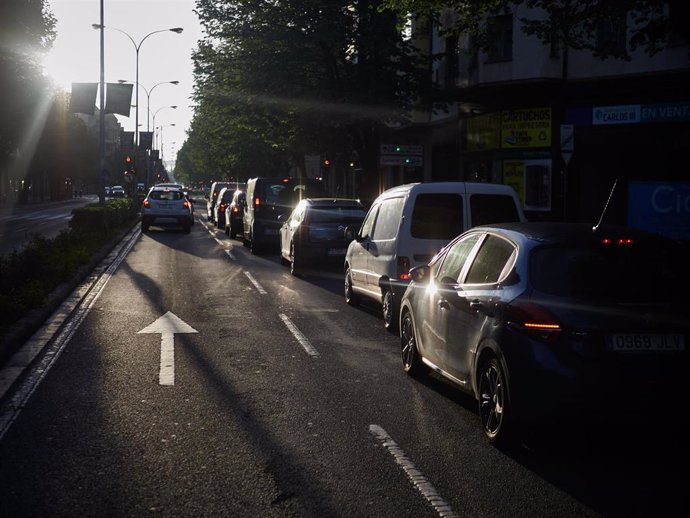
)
(407, 225)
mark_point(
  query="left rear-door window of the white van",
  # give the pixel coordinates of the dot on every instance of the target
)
(437, 216)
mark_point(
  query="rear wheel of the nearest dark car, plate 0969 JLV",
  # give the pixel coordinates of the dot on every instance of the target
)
(494, 410)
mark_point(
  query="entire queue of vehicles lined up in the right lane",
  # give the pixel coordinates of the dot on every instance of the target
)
(534, 320)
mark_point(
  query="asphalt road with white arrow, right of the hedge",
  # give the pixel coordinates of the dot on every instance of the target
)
(206, 381)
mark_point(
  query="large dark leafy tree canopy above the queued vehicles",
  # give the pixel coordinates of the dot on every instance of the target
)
(281, 79)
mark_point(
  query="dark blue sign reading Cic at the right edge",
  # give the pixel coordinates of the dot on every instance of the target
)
(661, 207)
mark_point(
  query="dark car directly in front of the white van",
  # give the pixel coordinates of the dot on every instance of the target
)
(314, 234)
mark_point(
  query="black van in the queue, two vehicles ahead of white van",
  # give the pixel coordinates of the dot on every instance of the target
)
(268, 198)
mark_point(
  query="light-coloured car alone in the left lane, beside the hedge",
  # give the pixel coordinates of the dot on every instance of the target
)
(166, 206)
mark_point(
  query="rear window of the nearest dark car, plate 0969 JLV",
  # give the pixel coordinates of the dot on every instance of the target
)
(625, 273)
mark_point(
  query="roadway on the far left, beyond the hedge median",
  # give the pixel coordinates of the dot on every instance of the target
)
(20, 222)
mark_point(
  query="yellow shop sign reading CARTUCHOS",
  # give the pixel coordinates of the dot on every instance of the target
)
(526, 128)
